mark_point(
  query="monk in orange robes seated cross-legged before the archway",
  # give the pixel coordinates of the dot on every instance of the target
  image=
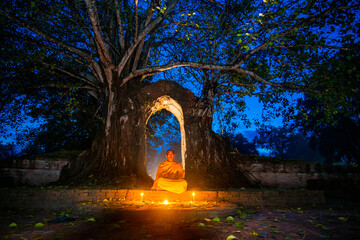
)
(170, 175)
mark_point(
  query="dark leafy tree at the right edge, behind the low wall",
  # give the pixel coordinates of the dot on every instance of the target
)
(333, 125)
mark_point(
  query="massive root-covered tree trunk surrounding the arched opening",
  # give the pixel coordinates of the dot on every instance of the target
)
(120, 154)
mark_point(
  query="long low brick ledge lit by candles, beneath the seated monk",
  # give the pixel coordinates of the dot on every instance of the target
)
(57, 198)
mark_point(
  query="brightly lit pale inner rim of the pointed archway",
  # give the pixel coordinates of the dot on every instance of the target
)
(166, 102)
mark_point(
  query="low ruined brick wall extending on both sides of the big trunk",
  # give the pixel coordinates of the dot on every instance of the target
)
(262, 172)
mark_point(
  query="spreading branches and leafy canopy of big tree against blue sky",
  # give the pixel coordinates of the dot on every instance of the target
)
(77, 58)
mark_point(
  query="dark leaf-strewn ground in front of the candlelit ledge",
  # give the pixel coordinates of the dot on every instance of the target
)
(120, 220)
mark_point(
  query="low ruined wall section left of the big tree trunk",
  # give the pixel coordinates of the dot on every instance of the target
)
(36, 172)
